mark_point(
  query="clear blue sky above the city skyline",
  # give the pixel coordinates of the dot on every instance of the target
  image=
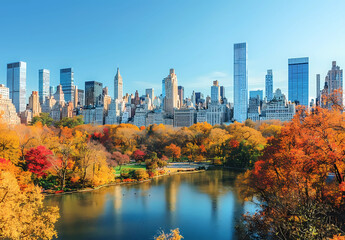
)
(147, 37)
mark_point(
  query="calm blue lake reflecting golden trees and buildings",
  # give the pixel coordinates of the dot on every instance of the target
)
(203, 205)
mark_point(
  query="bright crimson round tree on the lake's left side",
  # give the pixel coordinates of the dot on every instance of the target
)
(37, 160)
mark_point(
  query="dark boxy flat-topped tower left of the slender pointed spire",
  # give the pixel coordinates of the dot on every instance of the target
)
(93, 93)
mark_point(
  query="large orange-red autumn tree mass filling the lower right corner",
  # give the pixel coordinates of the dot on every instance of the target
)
(299, 180)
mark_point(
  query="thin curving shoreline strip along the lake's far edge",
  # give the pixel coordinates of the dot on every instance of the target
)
(120, 183)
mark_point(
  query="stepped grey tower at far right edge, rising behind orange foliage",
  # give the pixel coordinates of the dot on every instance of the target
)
(334, 80)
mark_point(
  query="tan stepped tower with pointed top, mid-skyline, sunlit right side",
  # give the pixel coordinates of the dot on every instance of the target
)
(171, 93)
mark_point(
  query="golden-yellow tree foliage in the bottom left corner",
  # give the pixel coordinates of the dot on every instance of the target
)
(22, 212)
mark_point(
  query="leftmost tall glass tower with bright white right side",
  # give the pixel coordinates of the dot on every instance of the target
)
(16, 82)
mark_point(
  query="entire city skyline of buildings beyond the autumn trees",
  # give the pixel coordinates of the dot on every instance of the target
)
(171, 107)
